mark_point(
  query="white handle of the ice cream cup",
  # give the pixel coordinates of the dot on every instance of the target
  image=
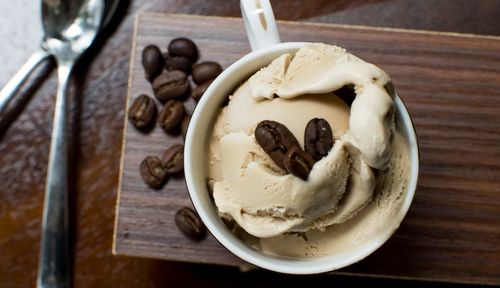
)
(260, 24)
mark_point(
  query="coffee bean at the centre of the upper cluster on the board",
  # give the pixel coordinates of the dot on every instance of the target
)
(170, 85)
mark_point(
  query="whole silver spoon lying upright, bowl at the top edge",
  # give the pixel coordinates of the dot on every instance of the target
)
(70, 27)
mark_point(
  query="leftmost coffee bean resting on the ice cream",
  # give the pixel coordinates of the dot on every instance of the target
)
(275, 139)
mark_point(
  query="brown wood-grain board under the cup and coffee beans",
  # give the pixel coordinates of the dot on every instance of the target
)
(451, 86)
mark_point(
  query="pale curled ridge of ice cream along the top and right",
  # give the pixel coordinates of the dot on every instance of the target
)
(320, 68)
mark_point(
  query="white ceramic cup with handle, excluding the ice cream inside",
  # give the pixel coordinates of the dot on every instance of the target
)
(264, 39)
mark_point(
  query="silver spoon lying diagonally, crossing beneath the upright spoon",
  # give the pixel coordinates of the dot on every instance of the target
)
(9, 91)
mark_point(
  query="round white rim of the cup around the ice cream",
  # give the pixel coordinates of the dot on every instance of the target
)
(284, 264)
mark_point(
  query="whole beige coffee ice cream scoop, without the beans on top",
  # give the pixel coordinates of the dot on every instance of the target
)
(253, 190)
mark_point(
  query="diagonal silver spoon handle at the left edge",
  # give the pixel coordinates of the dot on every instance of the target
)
(10, 89)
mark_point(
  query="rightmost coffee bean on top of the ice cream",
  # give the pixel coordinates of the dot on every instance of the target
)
(318, 138)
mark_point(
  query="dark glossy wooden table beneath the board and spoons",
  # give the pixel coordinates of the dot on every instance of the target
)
(100, 86)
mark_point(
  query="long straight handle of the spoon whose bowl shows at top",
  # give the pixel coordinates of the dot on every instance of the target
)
(54, 251)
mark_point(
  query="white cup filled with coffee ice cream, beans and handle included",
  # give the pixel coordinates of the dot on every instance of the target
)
(308, 166)
